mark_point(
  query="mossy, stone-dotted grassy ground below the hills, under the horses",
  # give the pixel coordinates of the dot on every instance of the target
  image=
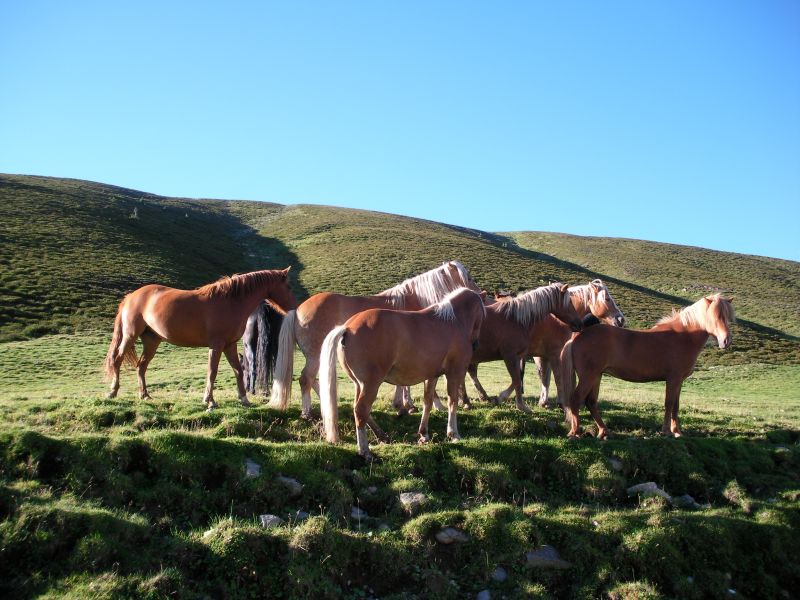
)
(125, 498)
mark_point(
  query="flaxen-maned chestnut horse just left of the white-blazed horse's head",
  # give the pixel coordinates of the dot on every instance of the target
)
(510, 328)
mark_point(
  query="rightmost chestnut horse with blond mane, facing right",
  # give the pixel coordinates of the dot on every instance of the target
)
(667, 352)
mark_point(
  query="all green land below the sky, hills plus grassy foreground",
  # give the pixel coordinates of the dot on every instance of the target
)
(125, 498)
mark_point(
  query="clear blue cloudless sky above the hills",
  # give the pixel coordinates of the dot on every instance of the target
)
(669, 121)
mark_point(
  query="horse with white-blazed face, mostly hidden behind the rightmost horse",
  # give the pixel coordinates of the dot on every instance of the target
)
(595, 303)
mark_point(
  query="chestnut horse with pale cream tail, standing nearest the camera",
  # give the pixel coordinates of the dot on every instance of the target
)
(402, 348)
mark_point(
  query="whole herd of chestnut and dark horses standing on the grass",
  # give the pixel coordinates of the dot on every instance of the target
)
(436, 323)
